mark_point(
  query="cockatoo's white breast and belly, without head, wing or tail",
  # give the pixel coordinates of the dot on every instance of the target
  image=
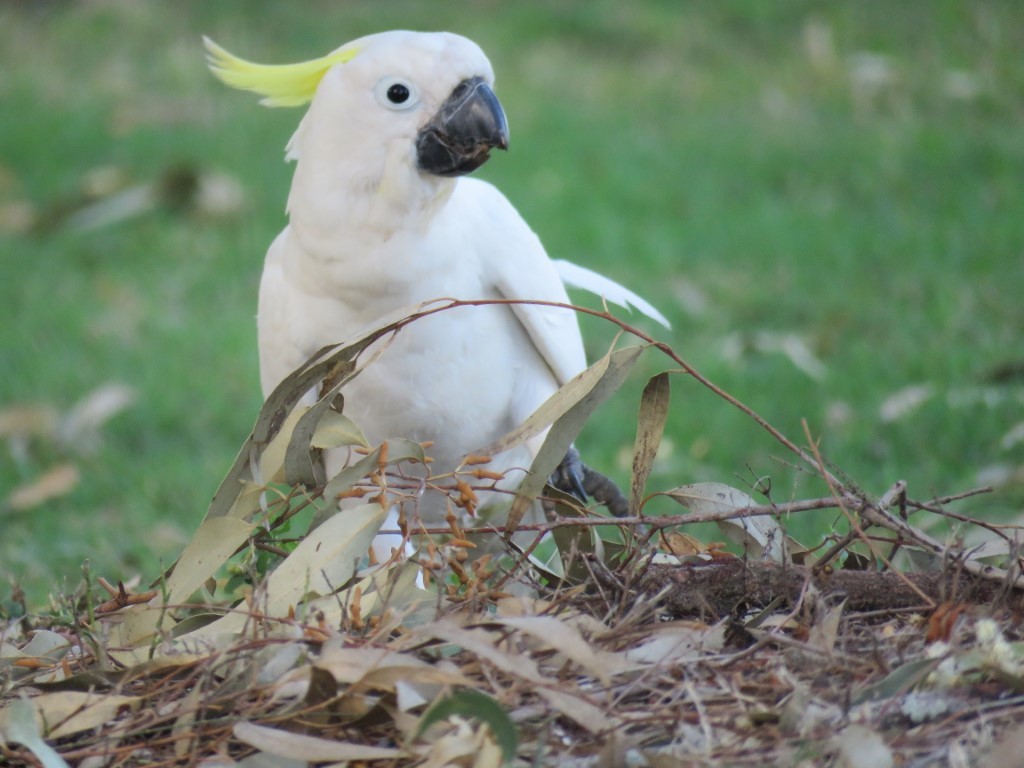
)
(461, 378)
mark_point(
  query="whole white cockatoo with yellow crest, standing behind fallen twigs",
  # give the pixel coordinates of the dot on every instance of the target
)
(382, 217)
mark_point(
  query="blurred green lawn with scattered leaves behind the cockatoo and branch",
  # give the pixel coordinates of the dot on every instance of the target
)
(827, 199)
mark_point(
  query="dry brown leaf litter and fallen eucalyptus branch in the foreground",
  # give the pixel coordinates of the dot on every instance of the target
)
(275, 642)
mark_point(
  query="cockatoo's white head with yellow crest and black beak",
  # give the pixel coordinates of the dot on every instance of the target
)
(426, 97)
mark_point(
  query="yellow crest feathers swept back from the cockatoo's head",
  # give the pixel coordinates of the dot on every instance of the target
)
(281, 86)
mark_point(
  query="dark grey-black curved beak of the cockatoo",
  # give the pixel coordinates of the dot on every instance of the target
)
(461, 136)
